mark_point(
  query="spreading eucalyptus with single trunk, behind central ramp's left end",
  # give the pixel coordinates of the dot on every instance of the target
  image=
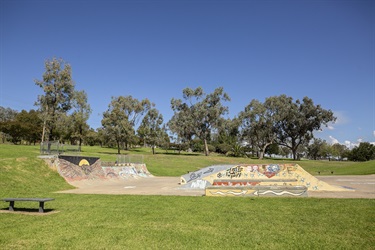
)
(201, 112)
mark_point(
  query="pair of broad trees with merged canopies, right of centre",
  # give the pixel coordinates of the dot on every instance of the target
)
(282, 121)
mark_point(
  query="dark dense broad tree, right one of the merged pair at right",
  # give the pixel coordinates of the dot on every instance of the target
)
(296, 121)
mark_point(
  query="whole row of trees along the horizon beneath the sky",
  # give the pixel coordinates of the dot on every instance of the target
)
(198, 121)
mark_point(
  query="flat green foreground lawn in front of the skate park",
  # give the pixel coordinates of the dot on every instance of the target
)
(174, 222)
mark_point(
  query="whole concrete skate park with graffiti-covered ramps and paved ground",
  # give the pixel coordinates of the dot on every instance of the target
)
(91, 176)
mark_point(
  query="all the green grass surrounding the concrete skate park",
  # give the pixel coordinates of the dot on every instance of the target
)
(172, 222)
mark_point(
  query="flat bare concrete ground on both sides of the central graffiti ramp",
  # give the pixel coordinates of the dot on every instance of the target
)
(359, 186)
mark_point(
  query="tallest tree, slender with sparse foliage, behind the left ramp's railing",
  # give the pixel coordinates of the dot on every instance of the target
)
(58, 88)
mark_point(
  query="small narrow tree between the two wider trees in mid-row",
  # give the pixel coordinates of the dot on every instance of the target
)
(151, 129)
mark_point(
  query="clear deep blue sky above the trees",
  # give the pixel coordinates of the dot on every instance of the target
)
(154, 49)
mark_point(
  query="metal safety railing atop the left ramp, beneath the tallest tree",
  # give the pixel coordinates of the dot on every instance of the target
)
(57, 148)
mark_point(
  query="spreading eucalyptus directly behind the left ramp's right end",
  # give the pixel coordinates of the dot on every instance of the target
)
(122, 115)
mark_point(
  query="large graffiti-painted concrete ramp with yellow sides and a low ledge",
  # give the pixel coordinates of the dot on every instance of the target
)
(257, 179)
